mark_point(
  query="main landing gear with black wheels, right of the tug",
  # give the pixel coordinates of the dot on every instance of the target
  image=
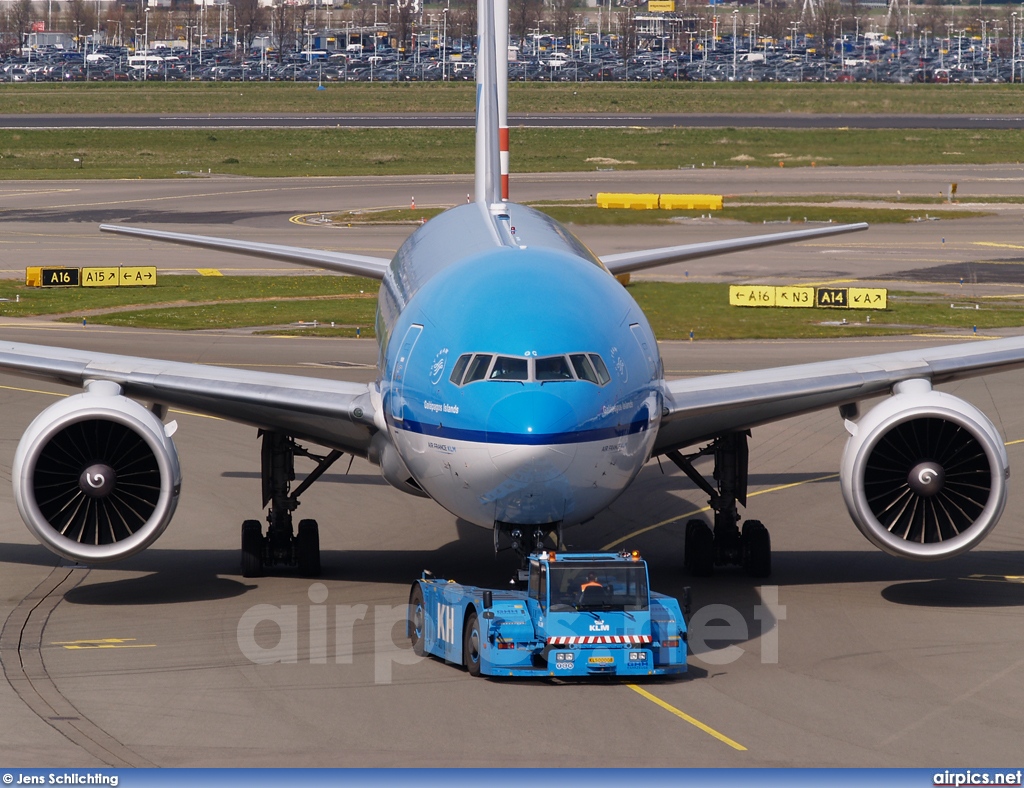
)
(727, 545)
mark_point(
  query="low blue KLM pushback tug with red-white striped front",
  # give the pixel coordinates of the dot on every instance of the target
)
(582, 616)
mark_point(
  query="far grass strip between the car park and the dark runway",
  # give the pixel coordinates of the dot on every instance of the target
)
(533, 98)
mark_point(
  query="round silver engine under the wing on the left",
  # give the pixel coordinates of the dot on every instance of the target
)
(97, 476)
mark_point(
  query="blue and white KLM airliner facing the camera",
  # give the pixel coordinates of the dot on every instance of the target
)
(521, 387)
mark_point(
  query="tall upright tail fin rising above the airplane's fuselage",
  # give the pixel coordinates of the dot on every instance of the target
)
(488, 159)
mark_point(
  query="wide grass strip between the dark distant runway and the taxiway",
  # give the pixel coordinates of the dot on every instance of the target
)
(165, 154)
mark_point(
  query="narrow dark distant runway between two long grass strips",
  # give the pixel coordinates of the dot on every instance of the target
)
(525, 120)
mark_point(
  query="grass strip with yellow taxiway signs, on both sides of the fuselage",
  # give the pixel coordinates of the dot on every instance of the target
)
(674, 310)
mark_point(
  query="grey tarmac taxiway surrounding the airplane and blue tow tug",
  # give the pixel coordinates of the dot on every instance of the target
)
(848, 658)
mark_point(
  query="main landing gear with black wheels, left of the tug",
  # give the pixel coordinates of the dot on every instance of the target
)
(281, 546)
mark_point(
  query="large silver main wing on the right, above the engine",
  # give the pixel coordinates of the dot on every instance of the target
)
(699, 409)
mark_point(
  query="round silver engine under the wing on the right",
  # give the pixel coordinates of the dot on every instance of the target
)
(924, 474)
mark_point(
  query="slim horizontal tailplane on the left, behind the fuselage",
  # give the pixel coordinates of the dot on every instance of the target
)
(359, 266)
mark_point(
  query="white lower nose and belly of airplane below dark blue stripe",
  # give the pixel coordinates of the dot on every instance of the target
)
(524, 485)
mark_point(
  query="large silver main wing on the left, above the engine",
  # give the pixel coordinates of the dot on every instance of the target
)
(333, 414)
